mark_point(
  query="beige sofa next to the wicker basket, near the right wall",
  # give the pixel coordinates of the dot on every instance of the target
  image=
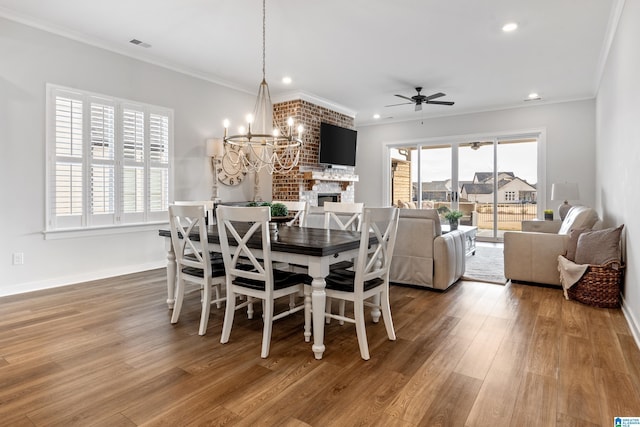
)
(532, 256)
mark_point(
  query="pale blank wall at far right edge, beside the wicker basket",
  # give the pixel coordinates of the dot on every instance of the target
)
(618, 150)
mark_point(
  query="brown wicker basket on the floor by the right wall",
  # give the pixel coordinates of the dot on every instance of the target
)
(599, 286)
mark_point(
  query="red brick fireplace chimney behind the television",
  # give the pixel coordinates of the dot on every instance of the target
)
(292, 185)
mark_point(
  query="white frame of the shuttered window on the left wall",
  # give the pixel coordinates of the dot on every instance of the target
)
(157, 126)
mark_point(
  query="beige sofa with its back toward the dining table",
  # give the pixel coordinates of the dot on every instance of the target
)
(423, 256)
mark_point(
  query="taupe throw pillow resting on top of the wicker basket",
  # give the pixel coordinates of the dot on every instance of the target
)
(599, 247)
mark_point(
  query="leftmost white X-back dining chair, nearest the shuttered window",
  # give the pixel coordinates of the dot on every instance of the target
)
(193, 261)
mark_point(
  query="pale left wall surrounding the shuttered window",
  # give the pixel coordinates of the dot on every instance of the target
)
(31, 58)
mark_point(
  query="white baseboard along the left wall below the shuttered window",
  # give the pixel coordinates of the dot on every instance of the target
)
(57, 282)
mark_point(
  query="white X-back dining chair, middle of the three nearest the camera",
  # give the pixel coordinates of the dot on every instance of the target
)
(249, 270)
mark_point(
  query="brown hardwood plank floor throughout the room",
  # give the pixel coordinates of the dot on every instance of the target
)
(104, 353)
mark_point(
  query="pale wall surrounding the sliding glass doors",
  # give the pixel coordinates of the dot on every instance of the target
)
(570, 141)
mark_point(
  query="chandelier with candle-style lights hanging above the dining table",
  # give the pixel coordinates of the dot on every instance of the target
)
(261, 145)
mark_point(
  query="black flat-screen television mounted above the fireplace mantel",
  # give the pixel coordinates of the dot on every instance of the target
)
(337, 145)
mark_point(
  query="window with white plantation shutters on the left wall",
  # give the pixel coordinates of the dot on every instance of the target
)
(108, 160)
